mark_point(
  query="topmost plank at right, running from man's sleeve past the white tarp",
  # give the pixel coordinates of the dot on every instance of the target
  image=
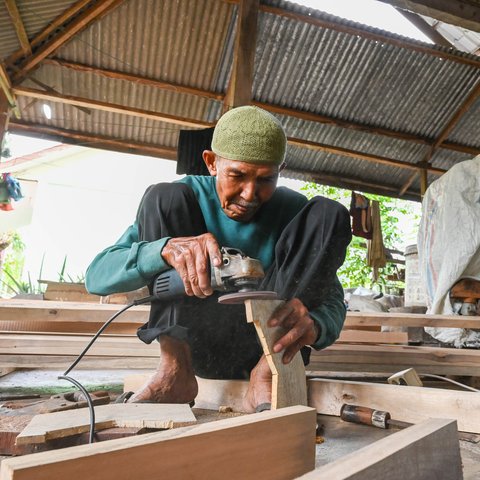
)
(410, 320)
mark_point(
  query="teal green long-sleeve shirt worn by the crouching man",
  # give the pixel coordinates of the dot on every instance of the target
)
(130, 263)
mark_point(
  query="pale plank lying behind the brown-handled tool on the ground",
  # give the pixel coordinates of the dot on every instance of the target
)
(404, 403)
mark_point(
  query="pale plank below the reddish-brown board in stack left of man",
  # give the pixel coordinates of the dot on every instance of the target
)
(73, 344)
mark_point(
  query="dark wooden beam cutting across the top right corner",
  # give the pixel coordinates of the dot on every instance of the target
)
(462, 13)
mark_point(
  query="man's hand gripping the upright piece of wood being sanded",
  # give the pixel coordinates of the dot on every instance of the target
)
(293, 316)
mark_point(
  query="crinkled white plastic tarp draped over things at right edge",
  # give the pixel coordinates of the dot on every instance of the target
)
(449, 243)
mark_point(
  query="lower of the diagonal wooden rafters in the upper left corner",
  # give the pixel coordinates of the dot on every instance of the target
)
(86, 18)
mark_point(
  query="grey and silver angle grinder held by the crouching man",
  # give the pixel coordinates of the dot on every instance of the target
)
(238, 273)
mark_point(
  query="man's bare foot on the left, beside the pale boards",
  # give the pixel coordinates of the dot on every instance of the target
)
(174, 380)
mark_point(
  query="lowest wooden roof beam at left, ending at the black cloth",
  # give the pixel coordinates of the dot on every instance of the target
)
(92, 141)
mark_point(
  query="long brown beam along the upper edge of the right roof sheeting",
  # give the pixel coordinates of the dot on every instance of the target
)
(349, 29)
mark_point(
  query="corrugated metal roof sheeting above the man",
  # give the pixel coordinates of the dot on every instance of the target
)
(325, 69)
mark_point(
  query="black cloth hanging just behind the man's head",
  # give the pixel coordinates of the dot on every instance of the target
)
(191, 144)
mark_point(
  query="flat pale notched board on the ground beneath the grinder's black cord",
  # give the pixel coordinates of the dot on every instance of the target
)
(49, 426)
